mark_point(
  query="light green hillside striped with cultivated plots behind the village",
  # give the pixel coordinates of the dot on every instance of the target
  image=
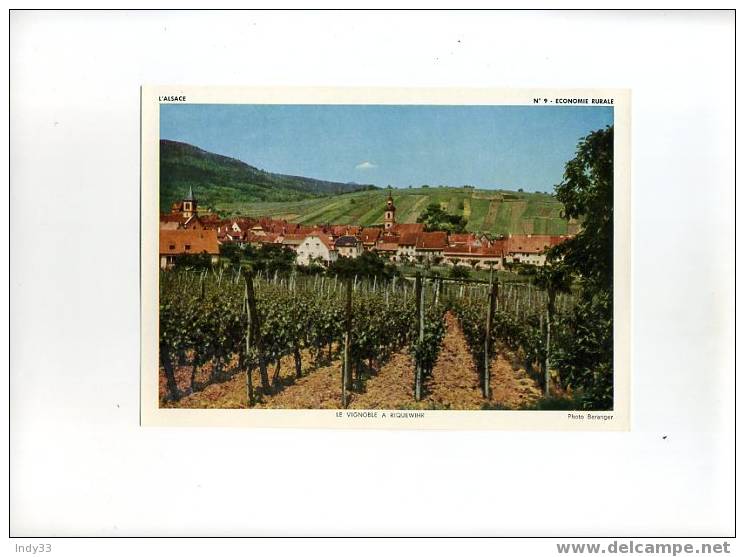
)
(493, 211)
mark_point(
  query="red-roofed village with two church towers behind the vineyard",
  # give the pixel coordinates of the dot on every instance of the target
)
(186, 231)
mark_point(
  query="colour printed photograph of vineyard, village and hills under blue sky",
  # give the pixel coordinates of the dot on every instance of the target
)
(392, 257)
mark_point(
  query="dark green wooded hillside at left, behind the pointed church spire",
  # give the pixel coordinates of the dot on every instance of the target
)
(226, 184)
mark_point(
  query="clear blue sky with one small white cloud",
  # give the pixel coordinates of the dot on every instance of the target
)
(491, 147)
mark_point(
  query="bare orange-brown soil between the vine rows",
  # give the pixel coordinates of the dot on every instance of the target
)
(454, 383)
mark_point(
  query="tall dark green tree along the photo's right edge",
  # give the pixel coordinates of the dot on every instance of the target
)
(584, 354)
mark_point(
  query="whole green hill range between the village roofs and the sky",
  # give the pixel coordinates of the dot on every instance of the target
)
(232, 187)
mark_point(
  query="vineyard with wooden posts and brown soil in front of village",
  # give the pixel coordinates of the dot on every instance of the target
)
(232, 339)
